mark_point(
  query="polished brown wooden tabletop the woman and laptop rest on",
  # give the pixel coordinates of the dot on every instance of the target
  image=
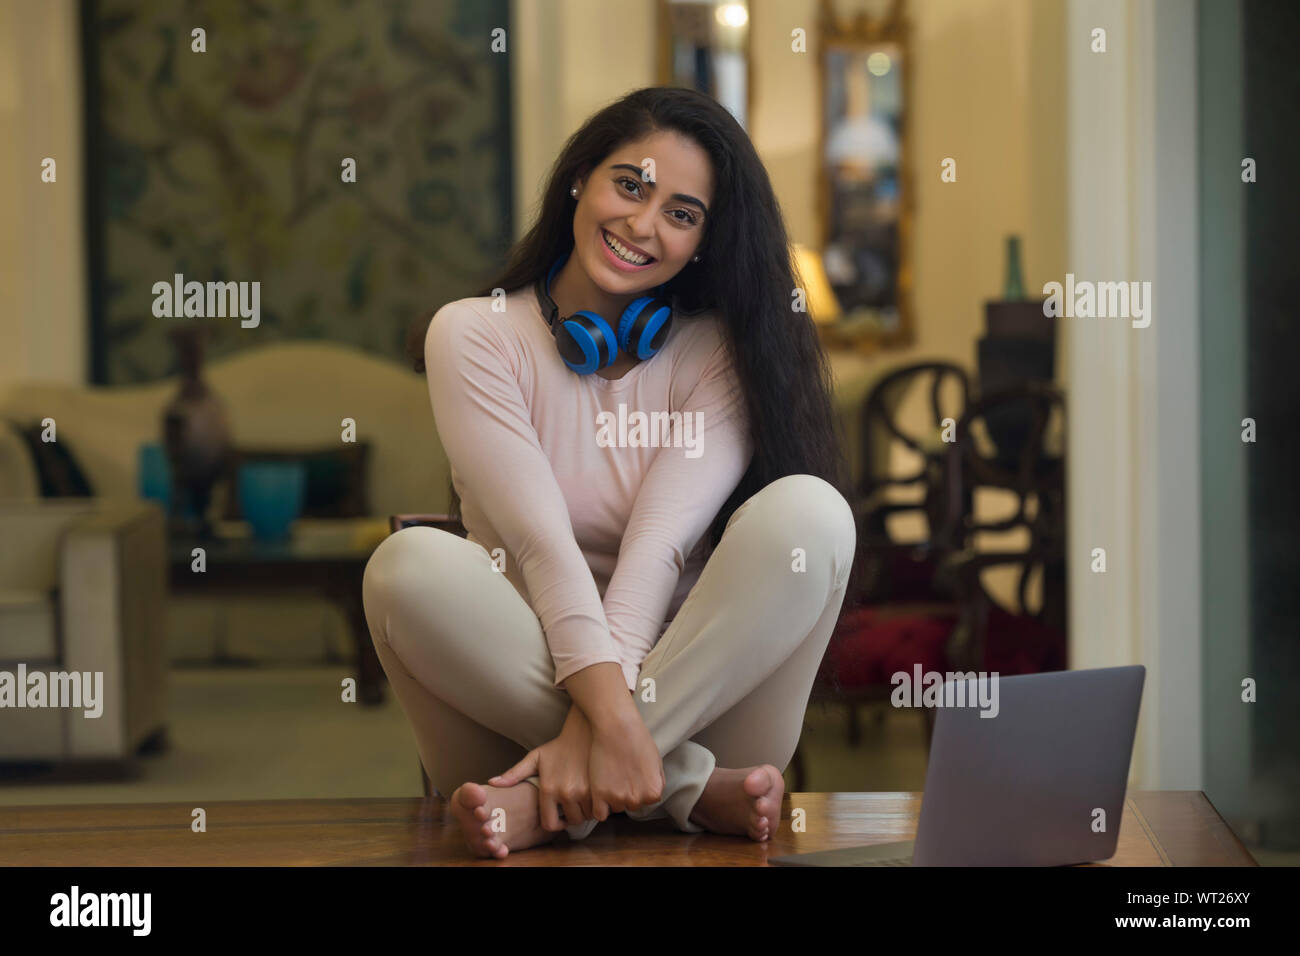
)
(1159, 829)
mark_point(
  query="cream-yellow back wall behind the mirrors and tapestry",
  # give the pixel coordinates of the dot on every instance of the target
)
(987, 90)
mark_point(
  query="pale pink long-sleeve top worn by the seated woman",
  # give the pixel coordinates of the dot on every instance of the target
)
(603, 537)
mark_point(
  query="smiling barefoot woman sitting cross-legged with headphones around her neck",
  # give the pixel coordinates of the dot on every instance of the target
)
(700, 568)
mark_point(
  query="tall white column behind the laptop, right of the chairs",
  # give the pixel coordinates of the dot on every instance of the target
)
(1134, 392)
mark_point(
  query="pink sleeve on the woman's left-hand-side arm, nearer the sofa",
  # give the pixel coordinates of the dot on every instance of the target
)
(489, 438)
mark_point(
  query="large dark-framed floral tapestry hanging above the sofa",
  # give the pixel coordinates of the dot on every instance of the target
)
(223, 155)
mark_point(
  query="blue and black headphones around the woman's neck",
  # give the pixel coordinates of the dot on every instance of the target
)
(586, 340)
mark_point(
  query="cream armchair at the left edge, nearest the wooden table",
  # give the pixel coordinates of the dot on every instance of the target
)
(83, 603)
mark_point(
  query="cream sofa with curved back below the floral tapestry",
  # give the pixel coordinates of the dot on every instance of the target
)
(289, 396)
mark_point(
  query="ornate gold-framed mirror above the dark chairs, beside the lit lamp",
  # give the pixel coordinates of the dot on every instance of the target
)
(865, 184)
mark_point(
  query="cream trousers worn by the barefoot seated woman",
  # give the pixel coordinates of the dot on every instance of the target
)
(469, 661)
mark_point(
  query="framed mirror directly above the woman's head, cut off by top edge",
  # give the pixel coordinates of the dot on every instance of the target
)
(705, 45)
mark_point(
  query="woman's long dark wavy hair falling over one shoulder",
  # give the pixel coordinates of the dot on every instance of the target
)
(747, 276)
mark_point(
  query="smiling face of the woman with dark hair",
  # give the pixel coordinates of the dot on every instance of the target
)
(632, 235)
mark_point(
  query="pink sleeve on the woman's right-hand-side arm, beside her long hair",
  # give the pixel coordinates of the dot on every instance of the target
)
(678, 503)
